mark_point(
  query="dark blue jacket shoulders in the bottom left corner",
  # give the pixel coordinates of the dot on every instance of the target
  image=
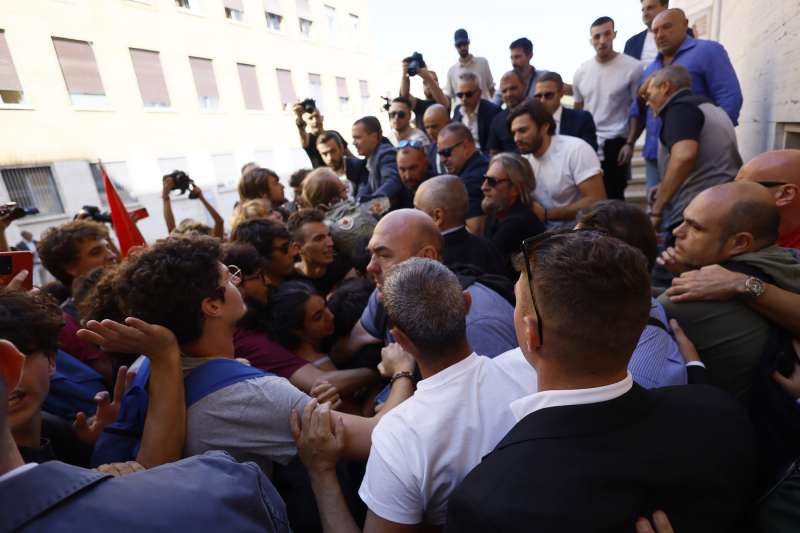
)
(176, 497)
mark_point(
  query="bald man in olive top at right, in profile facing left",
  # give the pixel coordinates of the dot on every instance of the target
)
(735, 226)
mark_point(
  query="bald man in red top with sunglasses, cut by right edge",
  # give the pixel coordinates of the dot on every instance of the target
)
(779, 172)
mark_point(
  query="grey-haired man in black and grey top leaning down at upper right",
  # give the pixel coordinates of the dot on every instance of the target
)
(698, 147)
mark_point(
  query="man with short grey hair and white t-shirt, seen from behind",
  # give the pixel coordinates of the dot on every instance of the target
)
(414, 465)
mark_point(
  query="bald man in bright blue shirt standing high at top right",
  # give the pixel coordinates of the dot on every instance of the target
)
(712, 76)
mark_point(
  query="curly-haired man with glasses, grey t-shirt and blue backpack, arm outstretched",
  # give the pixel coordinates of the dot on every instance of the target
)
(180, 284)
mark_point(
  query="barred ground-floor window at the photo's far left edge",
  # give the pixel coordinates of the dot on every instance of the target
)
(33, 187)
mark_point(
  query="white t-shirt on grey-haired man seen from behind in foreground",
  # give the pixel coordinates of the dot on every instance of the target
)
(423, 448)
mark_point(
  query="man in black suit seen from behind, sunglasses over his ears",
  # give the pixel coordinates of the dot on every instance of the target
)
(592, 451)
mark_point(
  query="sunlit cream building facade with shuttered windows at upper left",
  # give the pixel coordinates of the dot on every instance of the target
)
(152, 86)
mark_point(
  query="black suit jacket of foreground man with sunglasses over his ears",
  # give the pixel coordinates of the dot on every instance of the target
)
(598, 467)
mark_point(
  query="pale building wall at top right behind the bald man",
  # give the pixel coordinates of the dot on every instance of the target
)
(761, 37)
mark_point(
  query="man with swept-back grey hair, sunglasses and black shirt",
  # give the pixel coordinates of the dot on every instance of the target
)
(507, 189)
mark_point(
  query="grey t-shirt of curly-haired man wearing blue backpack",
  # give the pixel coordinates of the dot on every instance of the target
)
(249, 420)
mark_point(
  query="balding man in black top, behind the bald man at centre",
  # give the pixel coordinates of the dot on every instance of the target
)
(444, 198)
